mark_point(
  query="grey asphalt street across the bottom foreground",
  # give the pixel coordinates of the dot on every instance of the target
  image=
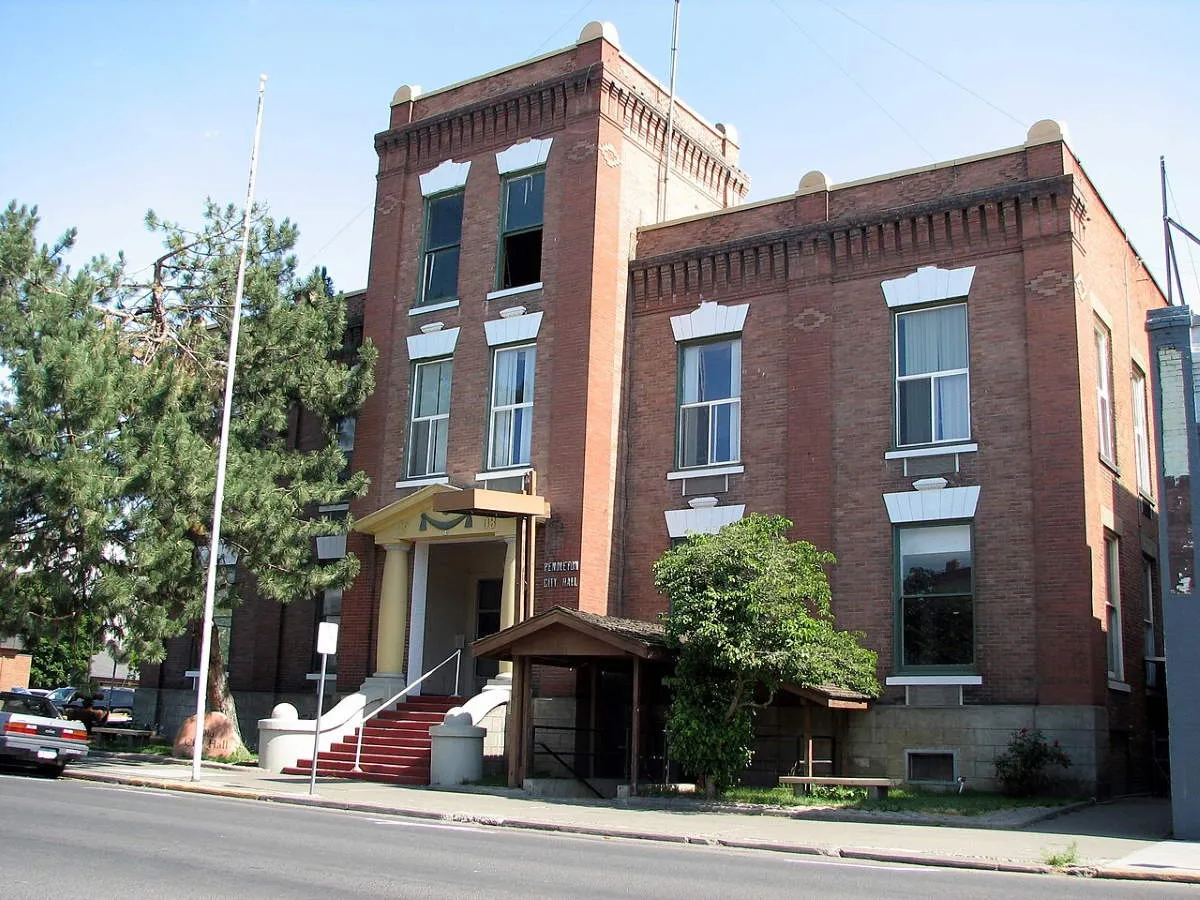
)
(112, 842)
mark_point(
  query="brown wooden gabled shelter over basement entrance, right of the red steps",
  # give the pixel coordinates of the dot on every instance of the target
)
(619, 664)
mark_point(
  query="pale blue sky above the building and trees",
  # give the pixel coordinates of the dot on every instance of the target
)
(112, 109)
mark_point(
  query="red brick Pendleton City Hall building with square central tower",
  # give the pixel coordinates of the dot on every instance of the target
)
(939, 375)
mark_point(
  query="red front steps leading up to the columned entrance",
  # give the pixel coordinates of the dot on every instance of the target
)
(395, 746)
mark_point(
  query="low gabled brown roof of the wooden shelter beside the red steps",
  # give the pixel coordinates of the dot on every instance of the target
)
(560, 637)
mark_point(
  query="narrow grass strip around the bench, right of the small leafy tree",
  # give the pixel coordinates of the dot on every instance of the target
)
(971, 803)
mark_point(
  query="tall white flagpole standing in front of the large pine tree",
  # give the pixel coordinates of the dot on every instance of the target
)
(202, 683)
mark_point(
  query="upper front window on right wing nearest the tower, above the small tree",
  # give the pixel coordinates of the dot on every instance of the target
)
(711, 404)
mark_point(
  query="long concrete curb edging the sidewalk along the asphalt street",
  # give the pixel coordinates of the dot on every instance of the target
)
(879, 856)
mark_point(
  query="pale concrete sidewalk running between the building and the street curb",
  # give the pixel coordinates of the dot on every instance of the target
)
(1124, 839)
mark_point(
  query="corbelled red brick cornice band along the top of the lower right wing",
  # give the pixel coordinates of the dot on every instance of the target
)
(992, 220)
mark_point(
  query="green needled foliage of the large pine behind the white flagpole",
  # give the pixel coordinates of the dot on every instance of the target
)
(111, 423)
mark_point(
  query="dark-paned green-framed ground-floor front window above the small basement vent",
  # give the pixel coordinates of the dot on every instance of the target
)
(935, 597)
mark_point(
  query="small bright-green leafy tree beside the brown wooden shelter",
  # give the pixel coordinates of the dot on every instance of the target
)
(751, 611)
